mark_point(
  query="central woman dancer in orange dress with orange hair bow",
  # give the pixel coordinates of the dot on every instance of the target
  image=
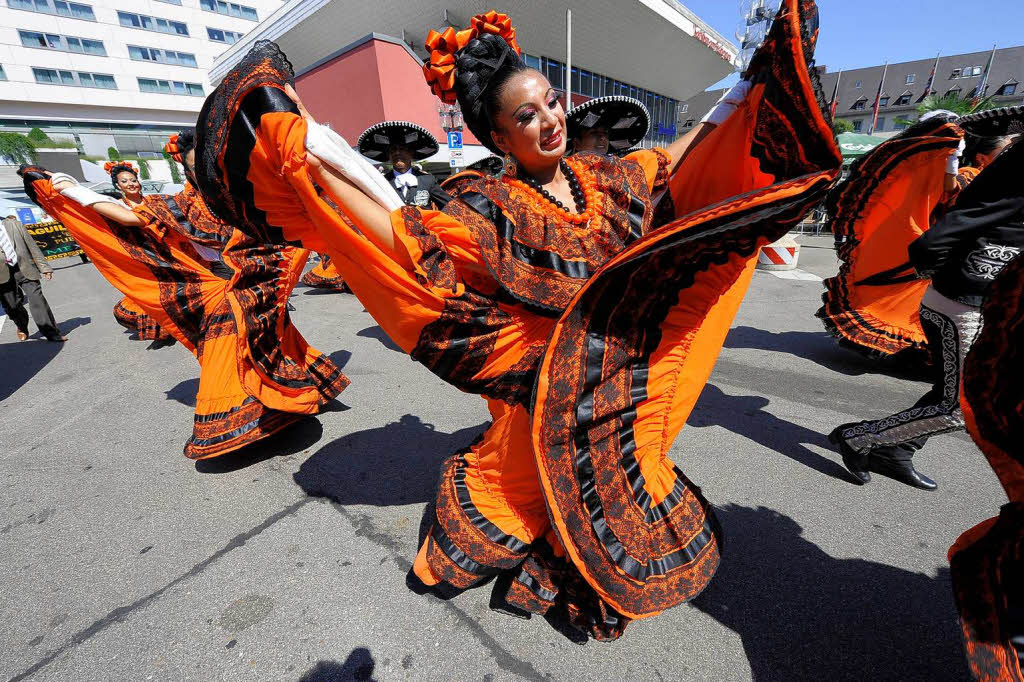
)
(548, 292)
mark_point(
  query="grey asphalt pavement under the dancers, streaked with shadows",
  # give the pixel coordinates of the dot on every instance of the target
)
(122, 561)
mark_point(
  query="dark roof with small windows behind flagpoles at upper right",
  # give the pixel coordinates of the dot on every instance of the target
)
(1008, 67)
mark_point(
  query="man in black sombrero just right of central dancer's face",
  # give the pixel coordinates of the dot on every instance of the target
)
(609, 125)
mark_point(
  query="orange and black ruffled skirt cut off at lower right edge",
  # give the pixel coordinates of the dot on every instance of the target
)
(988, 562)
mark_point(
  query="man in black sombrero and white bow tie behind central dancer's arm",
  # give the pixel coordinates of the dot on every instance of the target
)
(401, 144)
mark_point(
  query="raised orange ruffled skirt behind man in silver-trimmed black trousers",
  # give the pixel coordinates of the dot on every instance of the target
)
(888, 202)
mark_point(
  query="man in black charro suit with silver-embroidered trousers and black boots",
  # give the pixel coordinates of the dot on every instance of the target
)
(962, 254)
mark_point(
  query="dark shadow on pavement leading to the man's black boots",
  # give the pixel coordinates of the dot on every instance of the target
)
(745, 415)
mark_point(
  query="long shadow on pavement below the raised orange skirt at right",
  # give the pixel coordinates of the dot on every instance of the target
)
(823, 349)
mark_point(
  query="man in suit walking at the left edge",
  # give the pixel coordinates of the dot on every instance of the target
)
(22, 264)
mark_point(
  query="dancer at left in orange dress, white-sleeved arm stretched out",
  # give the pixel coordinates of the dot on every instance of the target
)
(258, 374)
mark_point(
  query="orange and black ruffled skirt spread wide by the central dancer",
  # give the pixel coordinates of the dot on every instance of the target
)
(571, 493)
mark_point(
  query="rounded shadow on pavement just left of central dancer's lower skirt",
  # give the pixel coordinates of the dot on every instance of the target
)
(397, 464)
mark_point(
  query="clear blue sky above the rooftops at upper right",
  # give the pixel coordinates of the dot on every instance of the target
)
(866, 33)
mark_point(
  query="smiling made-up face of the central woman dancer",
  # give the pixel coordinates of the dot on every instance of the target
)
(531, 123)
